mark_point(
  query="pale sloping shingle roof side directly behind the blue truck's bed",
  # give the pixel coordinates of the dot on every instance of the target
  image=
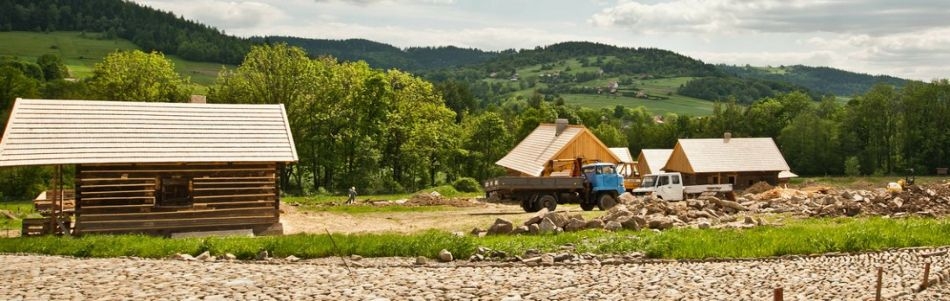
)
(534, 152)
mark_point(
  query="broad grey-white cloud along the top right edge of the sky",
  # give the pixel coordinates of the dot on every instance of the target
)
(876, 17)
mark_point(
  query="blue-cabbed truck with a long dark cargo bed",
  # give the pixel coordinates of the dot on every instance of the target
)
(592, 185)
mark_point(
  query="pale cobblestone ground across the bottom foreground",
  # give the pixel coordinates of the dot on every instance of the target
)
(851, 277)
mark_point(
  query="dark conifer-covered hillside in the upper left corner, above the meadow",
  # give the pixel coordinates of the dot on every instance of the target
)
(148, 28)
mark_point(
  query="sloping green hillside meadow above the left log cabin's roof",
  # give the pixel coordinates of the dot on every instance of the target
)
(82, 51)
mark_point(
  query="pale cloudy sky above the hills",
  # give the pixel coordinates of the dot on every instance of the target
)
(908, 38)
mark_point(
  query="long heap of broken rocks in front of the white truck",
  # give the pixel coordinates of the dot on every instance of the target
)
(711, 212)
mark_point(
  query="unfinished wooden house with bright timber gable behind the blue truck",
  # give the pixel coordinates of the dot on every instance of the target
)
(551, 149)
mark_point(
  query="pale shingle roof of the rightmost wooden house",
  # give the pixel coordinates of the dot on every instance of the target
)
(738, 154)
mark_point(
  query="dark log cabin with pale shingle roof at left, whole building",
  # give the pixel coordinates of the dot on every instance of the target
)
(156, 168)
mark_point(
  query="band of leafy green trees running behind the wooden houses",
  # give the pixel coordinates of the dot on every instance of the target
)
(391, 131)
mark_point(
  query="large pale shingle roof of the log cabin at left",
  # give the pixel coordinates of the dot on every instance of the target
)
(48, 132)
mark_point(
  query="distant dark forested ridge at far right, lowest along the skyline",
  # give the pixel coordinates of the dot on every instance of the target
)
(822, 80)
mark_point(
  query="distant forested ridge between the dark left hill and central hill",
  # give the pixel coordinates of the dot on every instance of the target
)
(385, 56)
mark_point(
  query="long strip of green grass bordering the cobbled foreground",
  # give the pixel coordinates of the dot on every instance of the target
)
(811, 236)
